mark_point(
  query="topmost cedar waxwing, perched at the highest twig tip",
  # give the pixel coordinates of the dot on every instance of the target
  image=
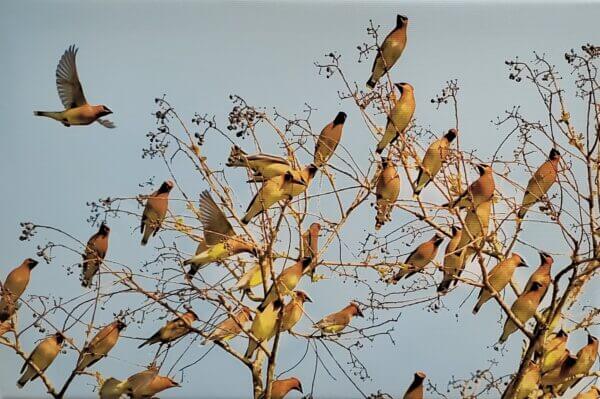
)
(391, 49)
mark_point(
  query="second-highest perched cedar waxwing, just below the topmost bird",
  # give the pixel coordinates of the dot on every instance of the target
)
(400, 116)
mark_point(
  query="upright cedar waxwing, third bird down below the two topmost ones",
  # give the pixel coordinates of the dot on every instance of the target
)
(386, 191)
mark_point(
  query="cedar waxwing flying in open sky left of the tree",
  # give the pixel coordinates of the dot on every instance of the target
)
(77, 110)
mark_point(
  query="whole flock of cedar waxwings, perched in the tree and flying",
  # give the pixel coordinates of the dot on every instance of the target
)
(554, 367)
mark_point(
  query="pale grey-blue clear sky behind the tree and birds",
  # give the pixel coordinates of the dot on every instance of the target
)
(198, 54)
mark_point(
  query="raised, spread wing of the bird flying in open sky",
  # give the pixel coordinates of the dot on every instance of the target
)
(67, 80)
